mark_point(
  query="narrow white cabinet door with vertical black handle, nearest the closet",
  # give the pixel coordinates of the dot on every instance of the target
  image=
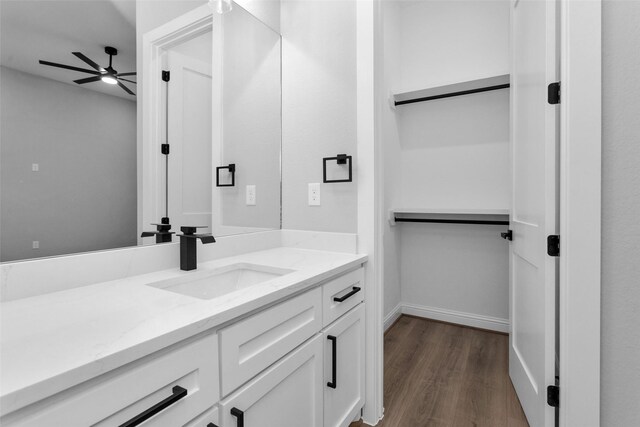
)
(344, 368)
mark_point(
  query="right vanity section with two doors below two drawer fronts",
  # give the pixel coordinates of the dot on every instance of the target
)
(318, 376)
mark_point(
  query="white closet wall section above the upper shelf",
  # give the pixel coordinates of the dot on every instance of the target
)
(446, 41)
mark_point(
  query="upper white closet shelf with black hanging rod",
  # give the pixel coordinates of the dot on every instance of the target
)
(456, 89)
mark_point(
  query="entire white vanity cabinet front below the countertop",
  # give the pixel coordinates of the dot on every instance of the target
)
(297, 363)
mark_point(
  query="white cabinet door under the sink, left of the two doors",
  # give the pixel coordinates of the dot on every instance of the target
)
(289, 394)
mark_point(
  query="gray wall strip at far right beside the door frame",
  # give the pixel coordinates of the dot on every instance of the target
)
(620, 381)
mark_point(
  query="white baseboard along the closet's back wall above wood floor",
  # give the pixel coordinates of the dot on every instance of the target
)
(457, 317)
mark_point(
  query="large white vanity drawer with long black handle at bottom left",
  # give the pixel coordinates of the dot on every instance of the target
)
(123, 396)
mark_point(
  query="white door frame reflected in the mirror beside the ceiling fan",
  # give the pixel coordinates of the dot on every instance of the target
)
(150, 162)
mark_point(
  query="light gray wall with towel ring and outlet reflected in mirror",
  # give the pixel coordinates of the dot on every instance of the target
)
(251, 121)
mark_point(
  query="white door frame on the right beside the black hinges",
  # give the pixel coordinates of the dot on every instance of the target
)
(580, 211)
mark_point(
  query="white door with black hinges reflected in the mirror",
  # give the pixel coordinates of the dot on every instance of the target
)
(190, 130)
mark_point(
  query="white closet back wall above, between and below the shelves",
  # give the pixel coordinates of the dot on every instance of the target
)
(449, 153)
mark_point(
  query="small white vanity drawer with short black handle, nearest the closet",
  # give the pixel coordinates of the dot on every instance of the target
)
(341, 295)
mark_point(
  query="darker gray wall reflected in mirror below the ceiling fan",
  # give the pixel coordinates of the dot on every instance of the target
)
(84, 196)
